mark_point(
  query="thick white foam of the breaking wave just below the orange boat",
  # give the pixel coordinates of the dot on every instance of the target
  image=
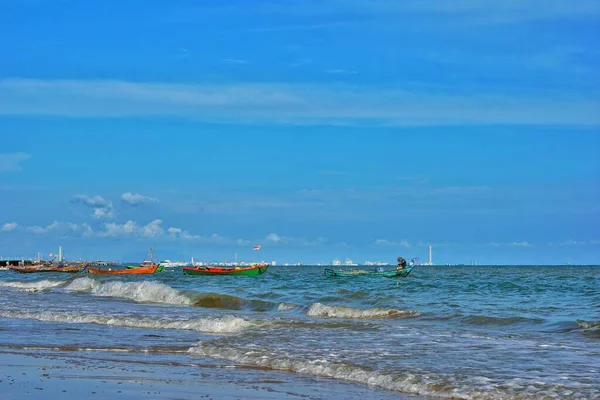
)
(146, 291)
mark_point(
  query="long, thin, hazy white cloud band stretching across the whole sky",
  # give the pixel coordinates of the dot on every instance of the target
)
(293, 103)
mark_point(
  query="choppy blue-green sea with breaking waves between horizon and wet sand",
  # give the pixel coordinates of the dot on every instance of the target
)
(461, 332)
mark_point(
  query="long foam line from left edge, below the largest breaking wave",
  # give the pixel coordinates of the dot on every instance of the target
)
(224, 324)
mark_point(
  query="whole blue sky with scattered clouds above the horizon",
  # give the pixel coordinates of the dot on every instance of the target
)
(319, 129)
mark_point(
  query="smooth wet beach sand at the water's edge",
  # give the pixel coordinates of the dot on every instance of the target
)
(44, 375)
